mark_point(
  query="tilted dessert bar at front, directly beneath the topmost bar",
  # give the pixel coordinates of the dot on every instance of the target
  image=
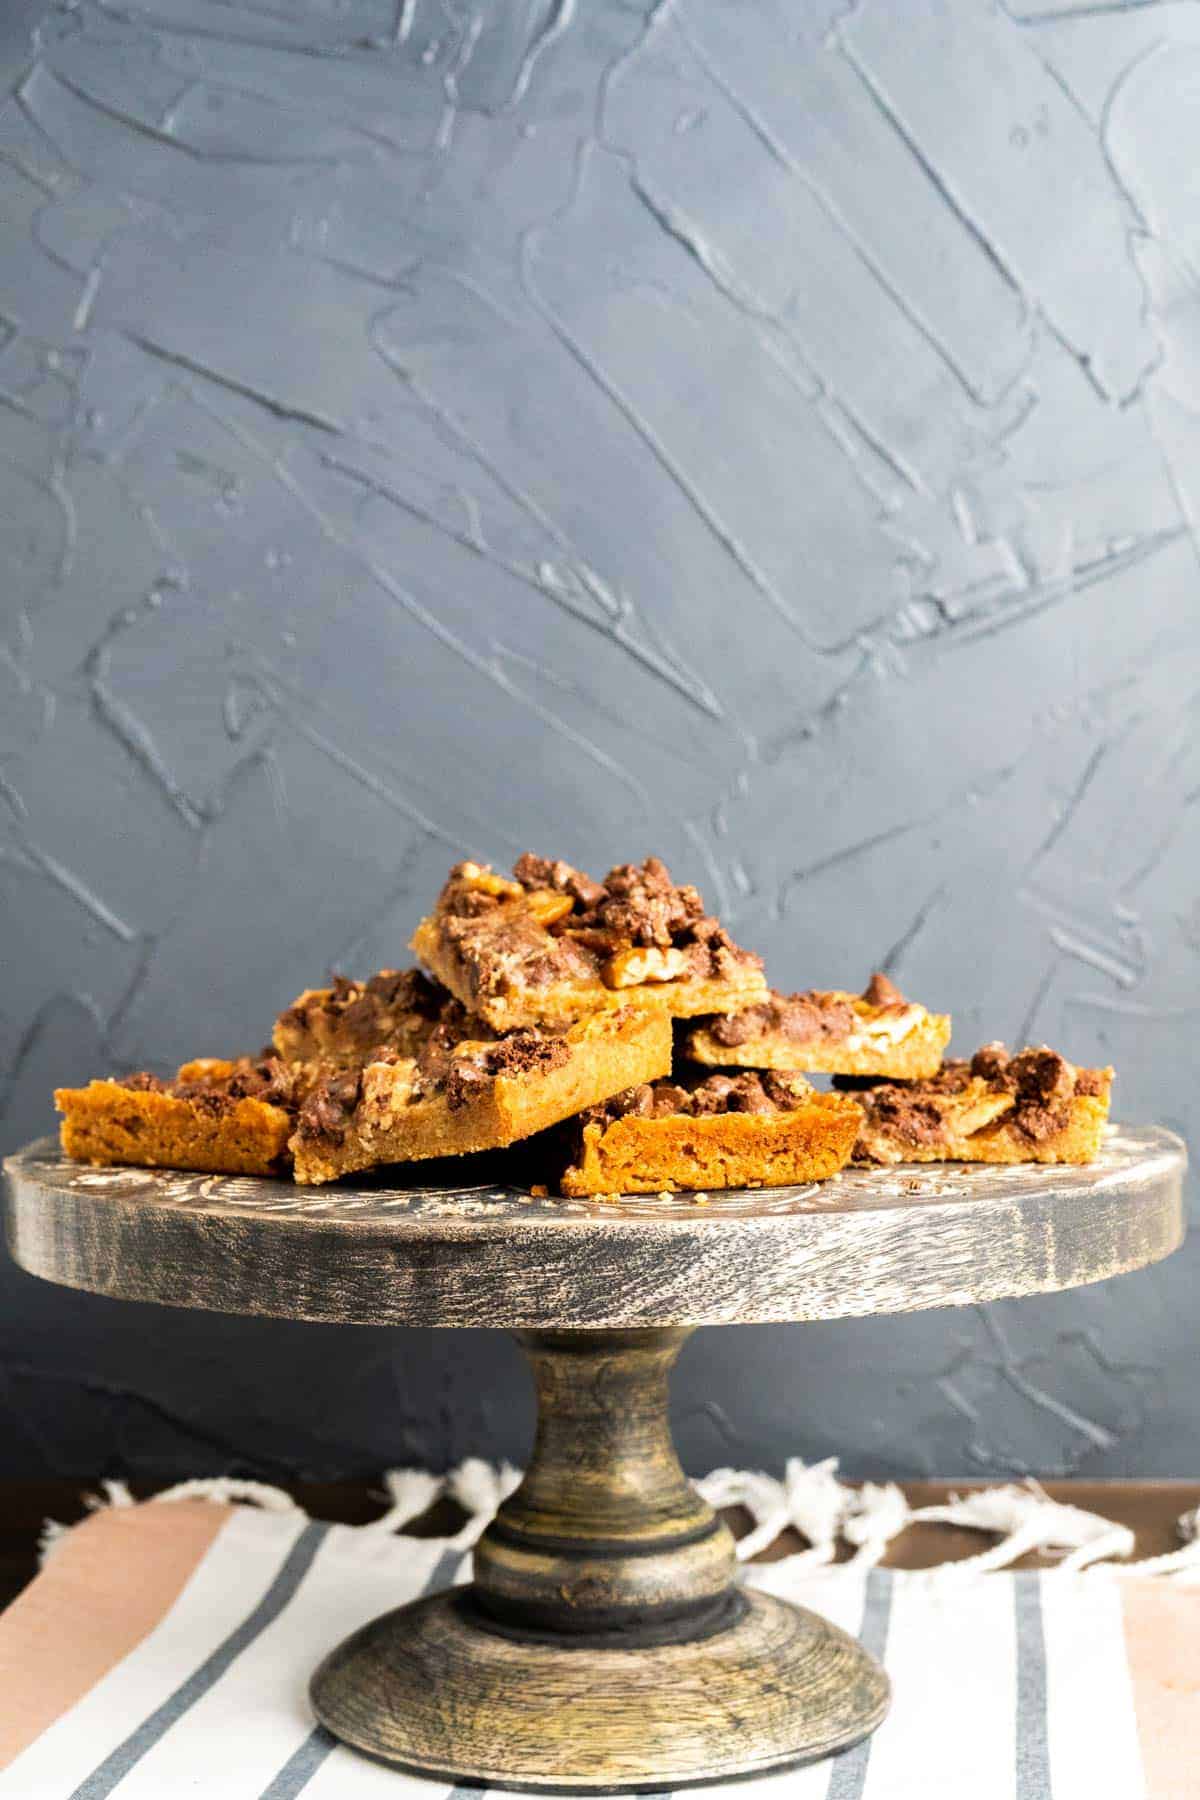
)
(395, 1119)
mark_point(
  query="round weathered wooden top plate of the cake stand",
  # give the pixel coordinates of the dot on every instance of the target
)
(868, 1241)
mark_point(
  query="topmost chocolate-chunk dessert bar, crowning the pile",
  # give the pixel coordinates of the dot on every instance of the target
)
(555, 944)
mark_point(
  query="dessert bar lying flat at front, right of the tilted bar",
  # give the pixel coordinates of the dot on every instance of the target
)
(730, 1131)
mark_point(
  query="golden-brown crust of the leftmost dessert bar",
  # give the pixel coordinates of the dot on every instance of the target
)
(109, 1122)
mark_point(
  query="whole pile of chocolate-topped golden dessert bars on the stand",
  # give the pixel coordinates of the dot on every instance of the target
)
(614, 1032)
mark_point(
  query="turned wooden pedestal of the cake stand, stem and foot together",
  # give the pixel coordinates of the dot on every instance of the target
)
(605, 1644)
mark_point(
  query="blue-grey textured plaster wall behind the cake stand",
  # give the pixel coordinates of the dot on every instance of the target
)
(766, 435)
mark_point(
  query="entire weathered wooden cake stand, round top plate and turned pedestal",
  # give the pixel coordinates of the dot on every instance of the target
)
(605, 1644)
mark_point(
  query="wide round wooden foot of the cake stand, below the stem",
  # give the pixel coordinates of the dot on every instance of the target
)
(431, 1691)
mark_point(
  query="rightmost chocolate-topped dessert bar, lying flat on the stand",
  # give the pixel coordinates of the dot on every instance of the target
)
(1032, 1108)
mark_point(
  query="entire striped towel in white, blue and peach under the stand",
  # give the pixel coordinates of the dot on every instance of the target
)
(166, 1650)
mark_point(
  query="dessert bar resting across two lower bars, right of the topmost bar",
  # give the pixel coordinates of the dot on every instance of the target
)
(828, 1032)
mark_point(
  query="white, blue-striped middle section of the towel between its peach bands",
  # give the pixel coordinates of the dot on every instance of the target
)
(1007, 1687)
